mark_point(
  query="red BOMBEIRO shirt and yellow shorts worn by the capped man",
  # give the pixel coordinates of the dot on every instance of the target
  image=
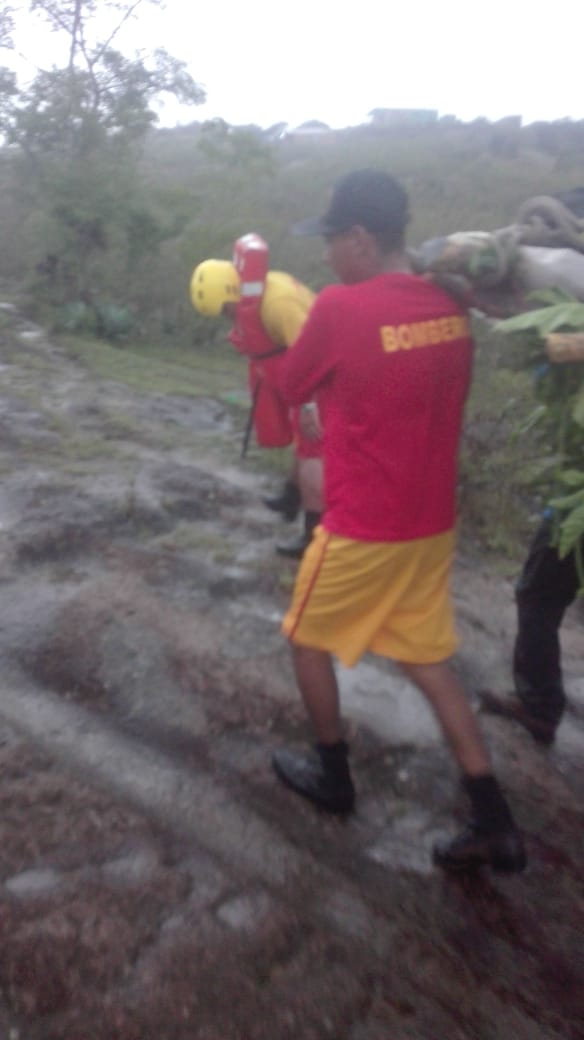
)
(390, 362)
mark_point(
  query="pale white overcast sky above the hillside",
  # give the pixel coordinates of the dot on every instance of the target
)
(335, 61)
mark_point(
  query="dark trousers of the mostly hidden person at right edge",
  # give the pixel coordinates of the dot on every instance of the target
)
(546, 589)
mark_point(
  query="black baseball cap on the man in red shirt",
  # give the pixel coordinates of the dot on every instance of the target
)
(370, 198)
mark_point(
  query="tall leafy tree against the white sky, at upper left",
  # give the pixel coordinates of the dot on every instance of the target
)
(81, 127)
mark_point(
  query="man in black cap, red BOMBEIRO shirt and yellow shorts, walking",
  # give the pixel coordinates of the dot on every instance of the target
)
(388, 356)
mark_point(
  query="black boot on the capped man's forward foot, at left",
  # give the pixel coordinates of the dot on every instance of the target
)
(325, 777)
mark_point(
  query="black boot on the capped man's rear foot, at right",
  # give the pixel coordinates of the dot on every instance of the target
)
(490, 840)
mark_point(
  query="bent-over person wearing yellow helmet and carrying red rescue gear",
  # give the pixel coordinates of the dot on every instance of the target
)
(269, 315)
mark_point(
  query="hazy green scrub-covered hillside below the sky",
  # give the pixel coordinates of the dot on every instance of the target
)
(130, 229)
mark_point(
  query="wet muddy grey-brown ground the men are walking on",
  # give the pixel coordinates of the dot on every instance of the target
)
(155, 882)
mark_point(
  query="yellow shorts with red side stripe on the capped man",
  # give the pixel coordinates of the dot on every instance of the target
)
(390, 599)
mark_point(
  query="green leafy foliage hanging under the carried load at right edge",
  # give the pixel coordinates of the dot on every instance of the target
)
(560, 414)
